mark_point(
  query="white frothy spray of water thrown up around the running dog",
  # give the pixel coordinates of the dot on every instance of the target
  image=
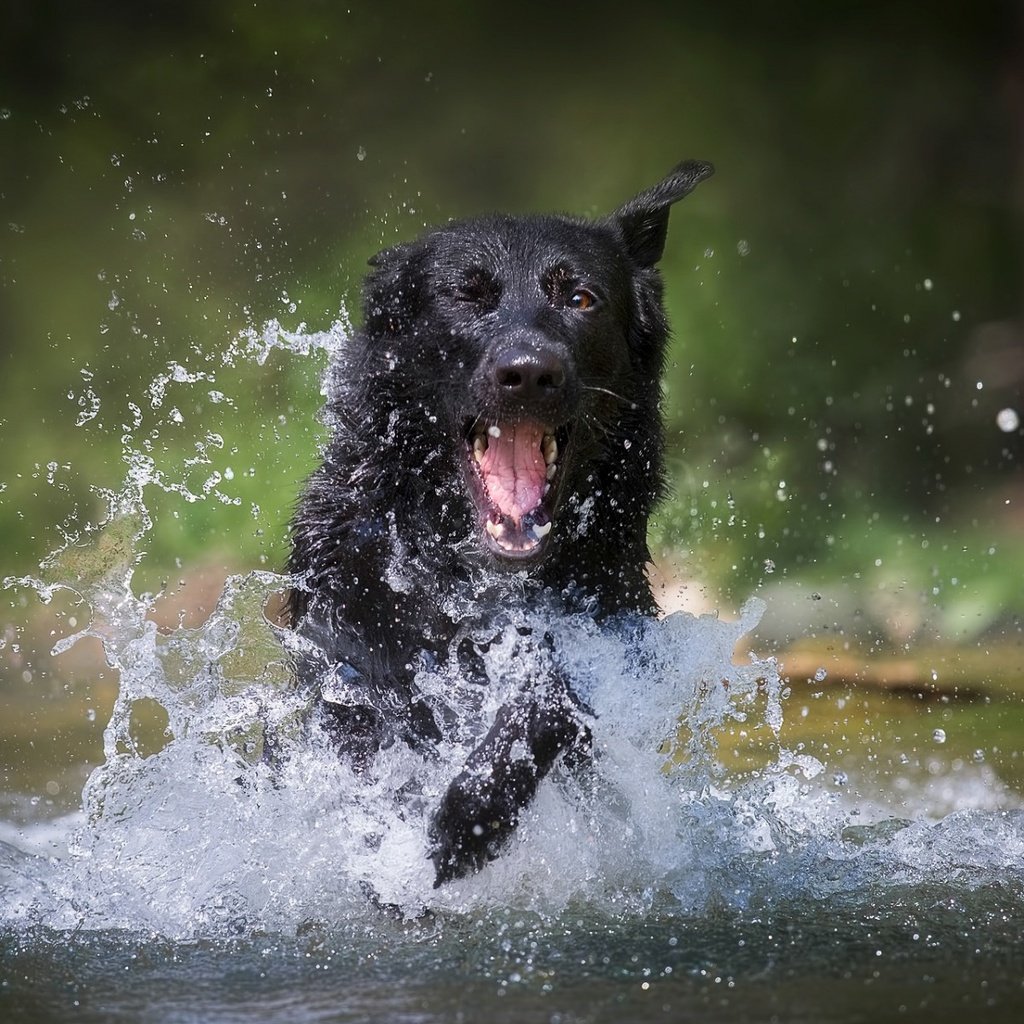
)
(191, 828)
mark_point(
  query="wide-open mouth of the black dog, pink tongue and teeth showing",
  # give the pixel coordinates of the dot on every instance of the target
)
(514, 476)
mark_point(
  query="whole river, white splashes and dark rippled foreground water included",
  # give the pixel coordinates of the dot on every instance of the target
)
(711, 868)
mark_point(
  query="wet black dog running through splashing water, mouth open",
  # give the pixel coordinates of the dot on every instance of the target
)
(497, 441)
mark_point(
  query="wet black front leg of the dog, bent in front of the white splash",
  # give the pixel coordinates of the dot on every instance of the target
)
(482, 807)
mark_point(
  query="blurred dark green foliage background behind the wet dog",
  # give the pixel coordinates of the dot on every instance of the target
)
(846, 292)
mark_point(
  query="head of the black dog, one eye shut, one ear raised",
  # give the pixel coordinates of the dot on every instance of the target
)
(530, 351)
